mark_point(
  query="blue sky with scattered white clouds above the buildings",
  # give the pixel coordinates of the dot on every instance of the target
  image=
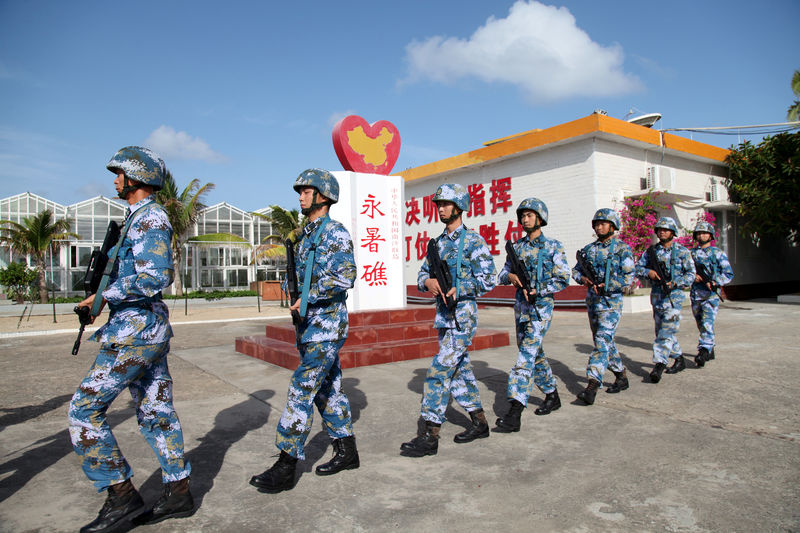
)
(245, 94)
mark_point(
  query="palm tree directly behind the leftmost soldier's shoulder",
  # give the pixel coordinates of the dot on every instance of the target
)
(182, 210)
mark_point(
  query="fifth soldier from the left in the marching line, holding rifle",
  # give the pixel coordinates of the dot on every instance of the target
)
(613, 265)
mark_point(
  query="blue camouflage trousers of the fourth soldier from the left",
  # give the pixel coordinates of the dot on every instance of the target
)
(532, 366)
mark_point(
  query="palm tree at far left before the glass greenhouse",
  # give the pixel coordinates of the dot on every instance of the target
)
(34, 236)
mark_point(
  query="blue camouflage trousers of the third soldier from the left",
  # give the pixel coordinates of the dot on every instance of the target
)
(450, 373)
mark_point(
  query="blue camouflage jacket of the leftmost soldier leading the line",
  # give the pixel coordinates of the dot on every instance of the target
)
(143, 269)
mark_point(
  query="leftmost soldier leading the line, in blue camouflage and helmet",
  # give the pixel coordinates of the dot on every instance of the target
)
(133, 356)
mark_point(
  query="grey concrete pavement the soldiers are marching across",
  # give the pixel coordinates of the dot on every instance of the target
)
(712, 449)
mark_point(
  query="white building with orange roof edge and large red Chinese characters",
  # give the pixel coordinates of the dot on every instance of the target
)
(577, 168)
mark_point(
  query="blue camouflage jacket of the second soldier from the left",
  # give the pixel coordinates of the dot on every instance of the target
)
(332, 274)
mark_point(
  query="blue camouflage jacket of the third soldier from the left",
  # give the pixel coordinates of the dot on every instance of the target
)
(476, 277)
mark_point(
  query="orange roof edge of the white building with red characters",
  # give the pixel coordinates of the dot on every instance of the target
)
(593, 124)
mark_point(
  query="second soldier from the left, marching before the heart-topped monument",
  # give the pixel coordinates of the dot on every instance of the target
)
(325, 269)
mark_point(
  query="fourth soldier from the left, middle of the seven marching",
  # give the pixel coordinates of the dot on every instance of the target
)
(548, 272)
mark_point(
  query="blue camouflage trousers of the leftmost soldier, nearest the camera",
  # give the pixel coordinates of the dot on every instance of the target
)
(143, 371)
